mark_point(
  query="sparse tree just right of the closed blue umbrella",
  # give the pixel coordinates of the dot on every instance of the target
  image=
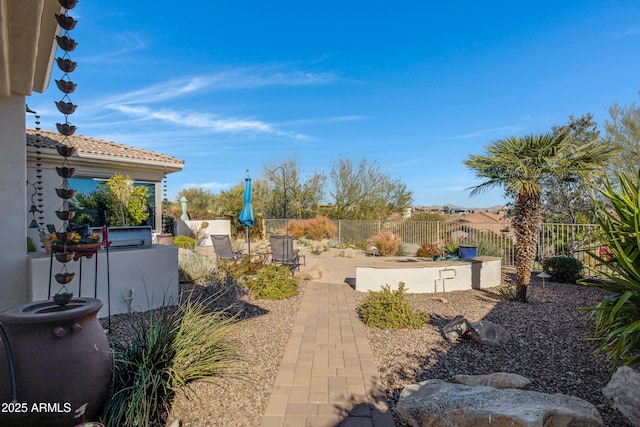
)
(304, 194)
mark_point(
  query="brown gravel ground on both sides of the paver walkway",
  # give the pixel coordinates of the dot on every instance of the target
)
(545, 346)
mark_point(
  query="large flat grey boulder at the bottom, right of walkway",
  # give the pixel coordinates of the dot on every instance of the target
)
(437, 403)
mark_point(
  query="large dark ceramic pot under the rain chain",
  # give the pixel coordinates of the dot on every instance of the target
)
(61, 361)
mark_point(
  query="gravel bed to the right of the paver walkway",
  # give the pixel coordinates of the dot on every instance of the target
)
(545, 344)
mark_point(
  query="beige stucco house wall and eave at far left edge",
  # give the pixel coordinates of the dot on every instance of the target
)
(27, 38)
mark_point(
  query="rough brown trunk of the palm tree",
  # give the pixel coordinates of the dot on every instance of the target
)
(526, 223)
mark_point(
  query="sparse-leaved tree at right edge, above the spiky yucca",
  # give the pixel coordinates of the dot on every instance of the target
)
(623, 132)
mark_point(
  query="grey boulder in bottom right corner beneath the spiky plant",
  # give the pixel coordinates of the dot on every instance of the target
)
(624, 390)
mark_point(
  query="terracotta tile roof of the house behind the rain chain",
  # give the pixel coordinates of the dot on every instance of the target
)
(85, 144)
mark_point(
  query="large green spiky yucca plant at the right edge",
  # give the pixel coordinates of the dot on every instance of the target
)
(617, 316)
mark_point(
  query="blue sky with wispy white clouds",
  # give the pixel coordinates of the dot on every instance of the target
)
(416, 86)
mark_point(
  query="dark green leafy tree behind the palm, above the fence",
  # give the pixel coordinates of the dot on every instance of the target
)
(570, 201)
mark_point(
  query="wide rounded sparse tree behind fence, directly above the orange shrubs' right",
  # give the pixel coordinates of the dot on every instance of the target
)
(365, 191)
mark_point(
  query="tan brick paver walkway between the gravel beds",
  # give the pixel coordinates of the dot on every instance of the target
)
(328, 376)
